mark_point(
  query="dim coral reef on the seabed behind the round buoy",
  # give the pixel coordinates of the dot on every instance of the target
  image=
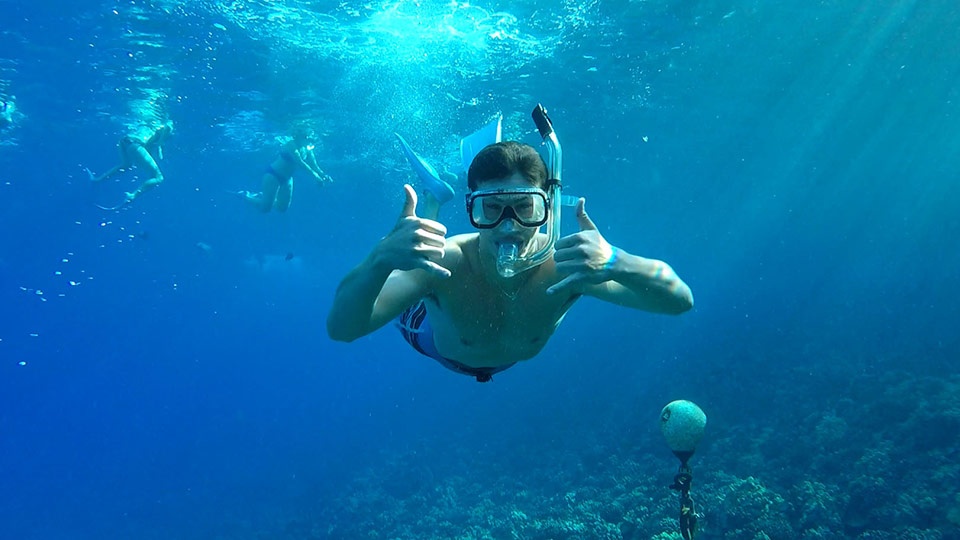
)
(879, 460)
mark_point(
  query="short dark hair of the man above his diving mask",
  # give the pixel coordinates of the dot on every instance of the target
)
(503, 160)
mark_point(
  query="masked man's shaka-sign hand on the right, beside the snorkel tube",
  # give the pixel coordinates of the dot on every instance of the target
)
(583, 258)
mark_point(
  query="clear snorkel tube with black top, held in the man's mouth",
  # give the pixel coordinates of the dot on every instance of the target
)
(509, 260)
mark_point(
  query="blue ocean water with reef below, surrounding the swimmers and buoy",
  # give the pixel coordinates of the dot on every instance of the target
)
(165, 370)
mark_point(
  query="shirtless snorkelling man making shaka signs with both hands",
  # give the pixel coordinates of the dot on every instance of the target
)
(451, 302)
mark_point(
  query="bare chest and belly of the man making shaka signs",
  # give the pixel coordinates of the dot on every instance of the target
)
(481, 323)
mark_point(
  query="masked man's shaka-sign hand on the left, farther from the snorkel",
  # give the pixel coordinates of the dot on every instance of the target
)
(414, 243)
